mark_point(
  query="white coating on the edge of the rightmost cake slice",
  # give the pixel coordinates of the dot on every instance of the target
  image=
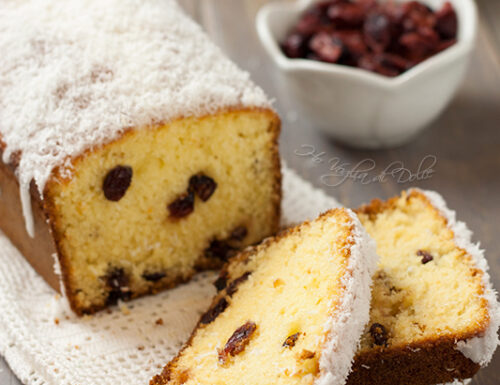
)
(479, 349)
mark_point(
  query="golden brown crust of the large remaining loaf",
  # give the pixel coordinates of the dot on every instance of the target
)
(39, 251)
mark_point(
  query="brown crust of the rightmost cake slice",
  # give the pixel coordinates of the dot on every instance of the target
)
(429, 361)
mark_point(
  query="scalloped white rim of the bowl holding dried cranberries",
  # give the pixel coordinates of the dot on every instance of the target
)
(463, 46)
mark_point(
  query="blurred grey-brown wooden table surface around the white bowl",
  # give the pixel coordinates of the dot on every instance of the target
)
(465, 140)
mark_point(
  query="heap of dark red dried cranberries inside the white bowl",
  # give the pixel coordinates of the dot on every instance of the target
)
(387, 37)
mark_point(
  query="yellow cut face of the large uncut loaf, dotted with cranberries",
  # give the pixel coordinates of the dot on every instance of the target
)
(122, 248)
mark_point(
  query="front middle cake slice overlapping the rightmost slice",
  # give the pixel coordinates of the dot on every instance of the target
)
(289, 311)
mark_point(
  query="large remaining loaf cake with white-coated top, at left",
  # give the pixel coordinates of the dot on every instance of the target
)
(134, 152)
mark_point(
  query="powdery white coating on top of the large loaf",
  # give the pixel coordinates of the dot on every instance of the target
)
(75, 74)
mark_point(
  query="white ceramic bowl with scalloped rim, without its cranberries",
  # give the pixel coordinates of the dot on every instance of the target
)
(361, 108)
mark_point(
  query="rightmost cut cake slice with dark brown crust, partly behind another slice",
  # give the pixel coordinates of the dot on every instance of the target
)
(434, 315)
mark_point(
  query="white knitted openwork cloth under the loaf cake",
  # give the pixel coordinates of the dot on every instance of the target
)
(45, 344)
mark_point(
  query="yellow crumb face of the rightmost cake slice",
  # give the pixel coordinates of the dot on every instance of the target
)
(426, 288)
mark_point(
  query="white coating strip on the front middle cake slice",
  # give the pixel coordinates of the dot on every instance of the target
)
(345, 328)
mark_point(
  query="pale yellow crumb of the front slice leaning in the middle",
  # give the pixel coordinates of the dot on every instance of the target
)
(292, 290)
